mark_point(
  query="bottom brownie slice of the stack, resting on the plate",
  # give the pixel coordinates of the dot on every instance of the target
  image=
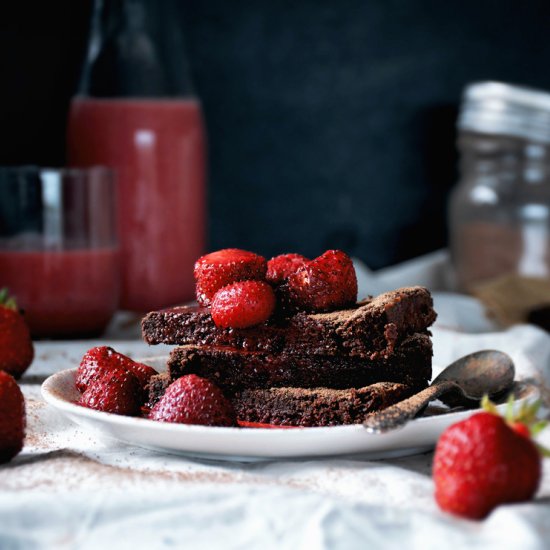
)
(318, 406)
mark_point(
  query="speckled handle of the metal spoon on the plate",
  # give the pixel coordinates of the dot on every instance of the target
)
(399, 414)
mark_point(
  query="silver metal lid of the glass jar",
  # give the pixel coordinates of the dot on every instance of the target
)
(498, 108)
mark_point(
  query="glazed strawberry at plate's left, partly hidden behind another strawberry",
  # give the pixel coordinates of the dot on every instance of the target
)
(101, 358)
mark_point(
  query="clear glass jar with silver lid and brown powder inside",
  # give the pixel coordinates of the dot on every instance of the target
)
(500, 210)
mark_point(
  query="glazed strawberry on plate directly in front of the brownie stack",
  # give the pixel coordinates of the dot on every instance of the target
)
(194, 400)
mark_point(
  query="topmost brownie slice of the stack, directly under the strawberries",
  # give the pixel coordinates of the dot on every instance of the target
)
(370, 329)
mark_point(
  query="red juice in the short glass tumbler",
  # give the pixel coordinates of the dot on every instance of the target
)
(64, 293)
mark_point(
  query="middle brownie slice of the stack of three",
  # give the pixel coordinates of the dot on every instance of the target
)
(234, 370)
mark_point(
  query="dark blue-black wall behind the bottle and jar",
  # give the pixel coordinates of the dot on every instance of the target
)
(331, 124)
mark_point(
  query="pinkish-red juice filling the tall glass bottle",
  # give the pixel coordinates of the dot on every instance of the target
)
(157, 148)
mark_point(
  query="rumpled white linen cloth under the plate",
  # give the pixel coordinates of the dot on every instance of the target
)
(67, 489)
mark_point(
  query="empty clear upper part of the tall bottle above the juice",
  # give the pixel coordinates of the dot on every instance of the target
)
(135, 49)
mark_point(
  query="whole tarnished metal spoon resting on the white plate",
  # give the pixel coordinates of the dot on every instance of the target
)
(483, 372)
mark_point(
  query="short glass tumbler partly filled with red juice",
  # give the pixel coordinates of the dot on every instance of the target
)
(58, 248)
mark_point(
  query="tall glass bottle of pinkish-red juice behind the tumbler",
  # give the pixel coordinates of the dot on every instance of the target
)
(136, 111)
